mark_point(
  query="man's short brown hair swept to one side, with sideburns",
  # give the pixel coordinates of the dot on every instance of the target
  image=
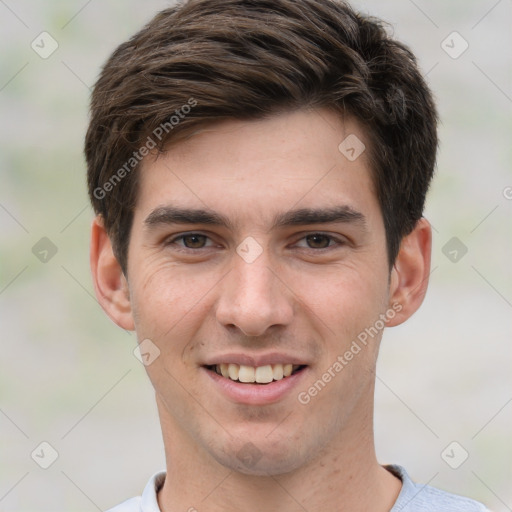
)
(203, 61)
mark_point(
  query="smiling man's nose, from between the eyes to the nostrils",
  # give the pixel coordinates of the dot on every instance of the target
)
(253, 298)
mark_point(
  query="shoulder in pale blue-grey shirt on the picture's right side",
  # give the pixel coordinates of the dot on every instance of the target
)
(424, 498)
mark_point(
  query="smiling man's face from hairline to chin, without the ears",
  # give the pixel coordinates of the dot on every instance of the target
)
(260, 245)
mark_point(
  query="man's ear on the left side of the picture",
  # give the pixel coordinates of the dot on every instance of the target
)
(110, 284)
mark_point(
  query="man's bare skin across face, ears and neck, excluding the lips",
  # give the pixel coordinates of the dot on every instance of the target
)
(309, 297)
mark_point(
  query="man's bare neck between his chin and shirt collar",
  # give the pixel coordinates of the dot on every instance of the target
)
(344, 477)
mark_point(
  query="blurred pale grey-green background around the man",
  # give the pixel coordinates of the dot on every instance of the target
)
(68, 376)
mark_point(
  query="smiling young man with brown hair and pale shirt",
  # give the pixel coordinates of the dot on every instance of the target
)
(259, 171)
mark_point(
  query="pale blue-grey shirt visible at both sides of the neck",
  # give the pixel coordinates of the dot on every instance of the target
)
(412, 498)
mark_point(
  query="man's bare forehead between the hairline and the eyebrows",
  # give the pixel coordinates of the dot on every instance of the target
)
(243, 169)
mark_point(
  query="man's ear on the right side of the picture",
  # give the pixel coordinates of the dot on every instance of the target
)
(410, 273)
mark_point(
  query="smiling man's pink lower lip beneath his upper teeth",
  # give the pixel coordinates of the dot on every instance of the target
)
(256, 394)
